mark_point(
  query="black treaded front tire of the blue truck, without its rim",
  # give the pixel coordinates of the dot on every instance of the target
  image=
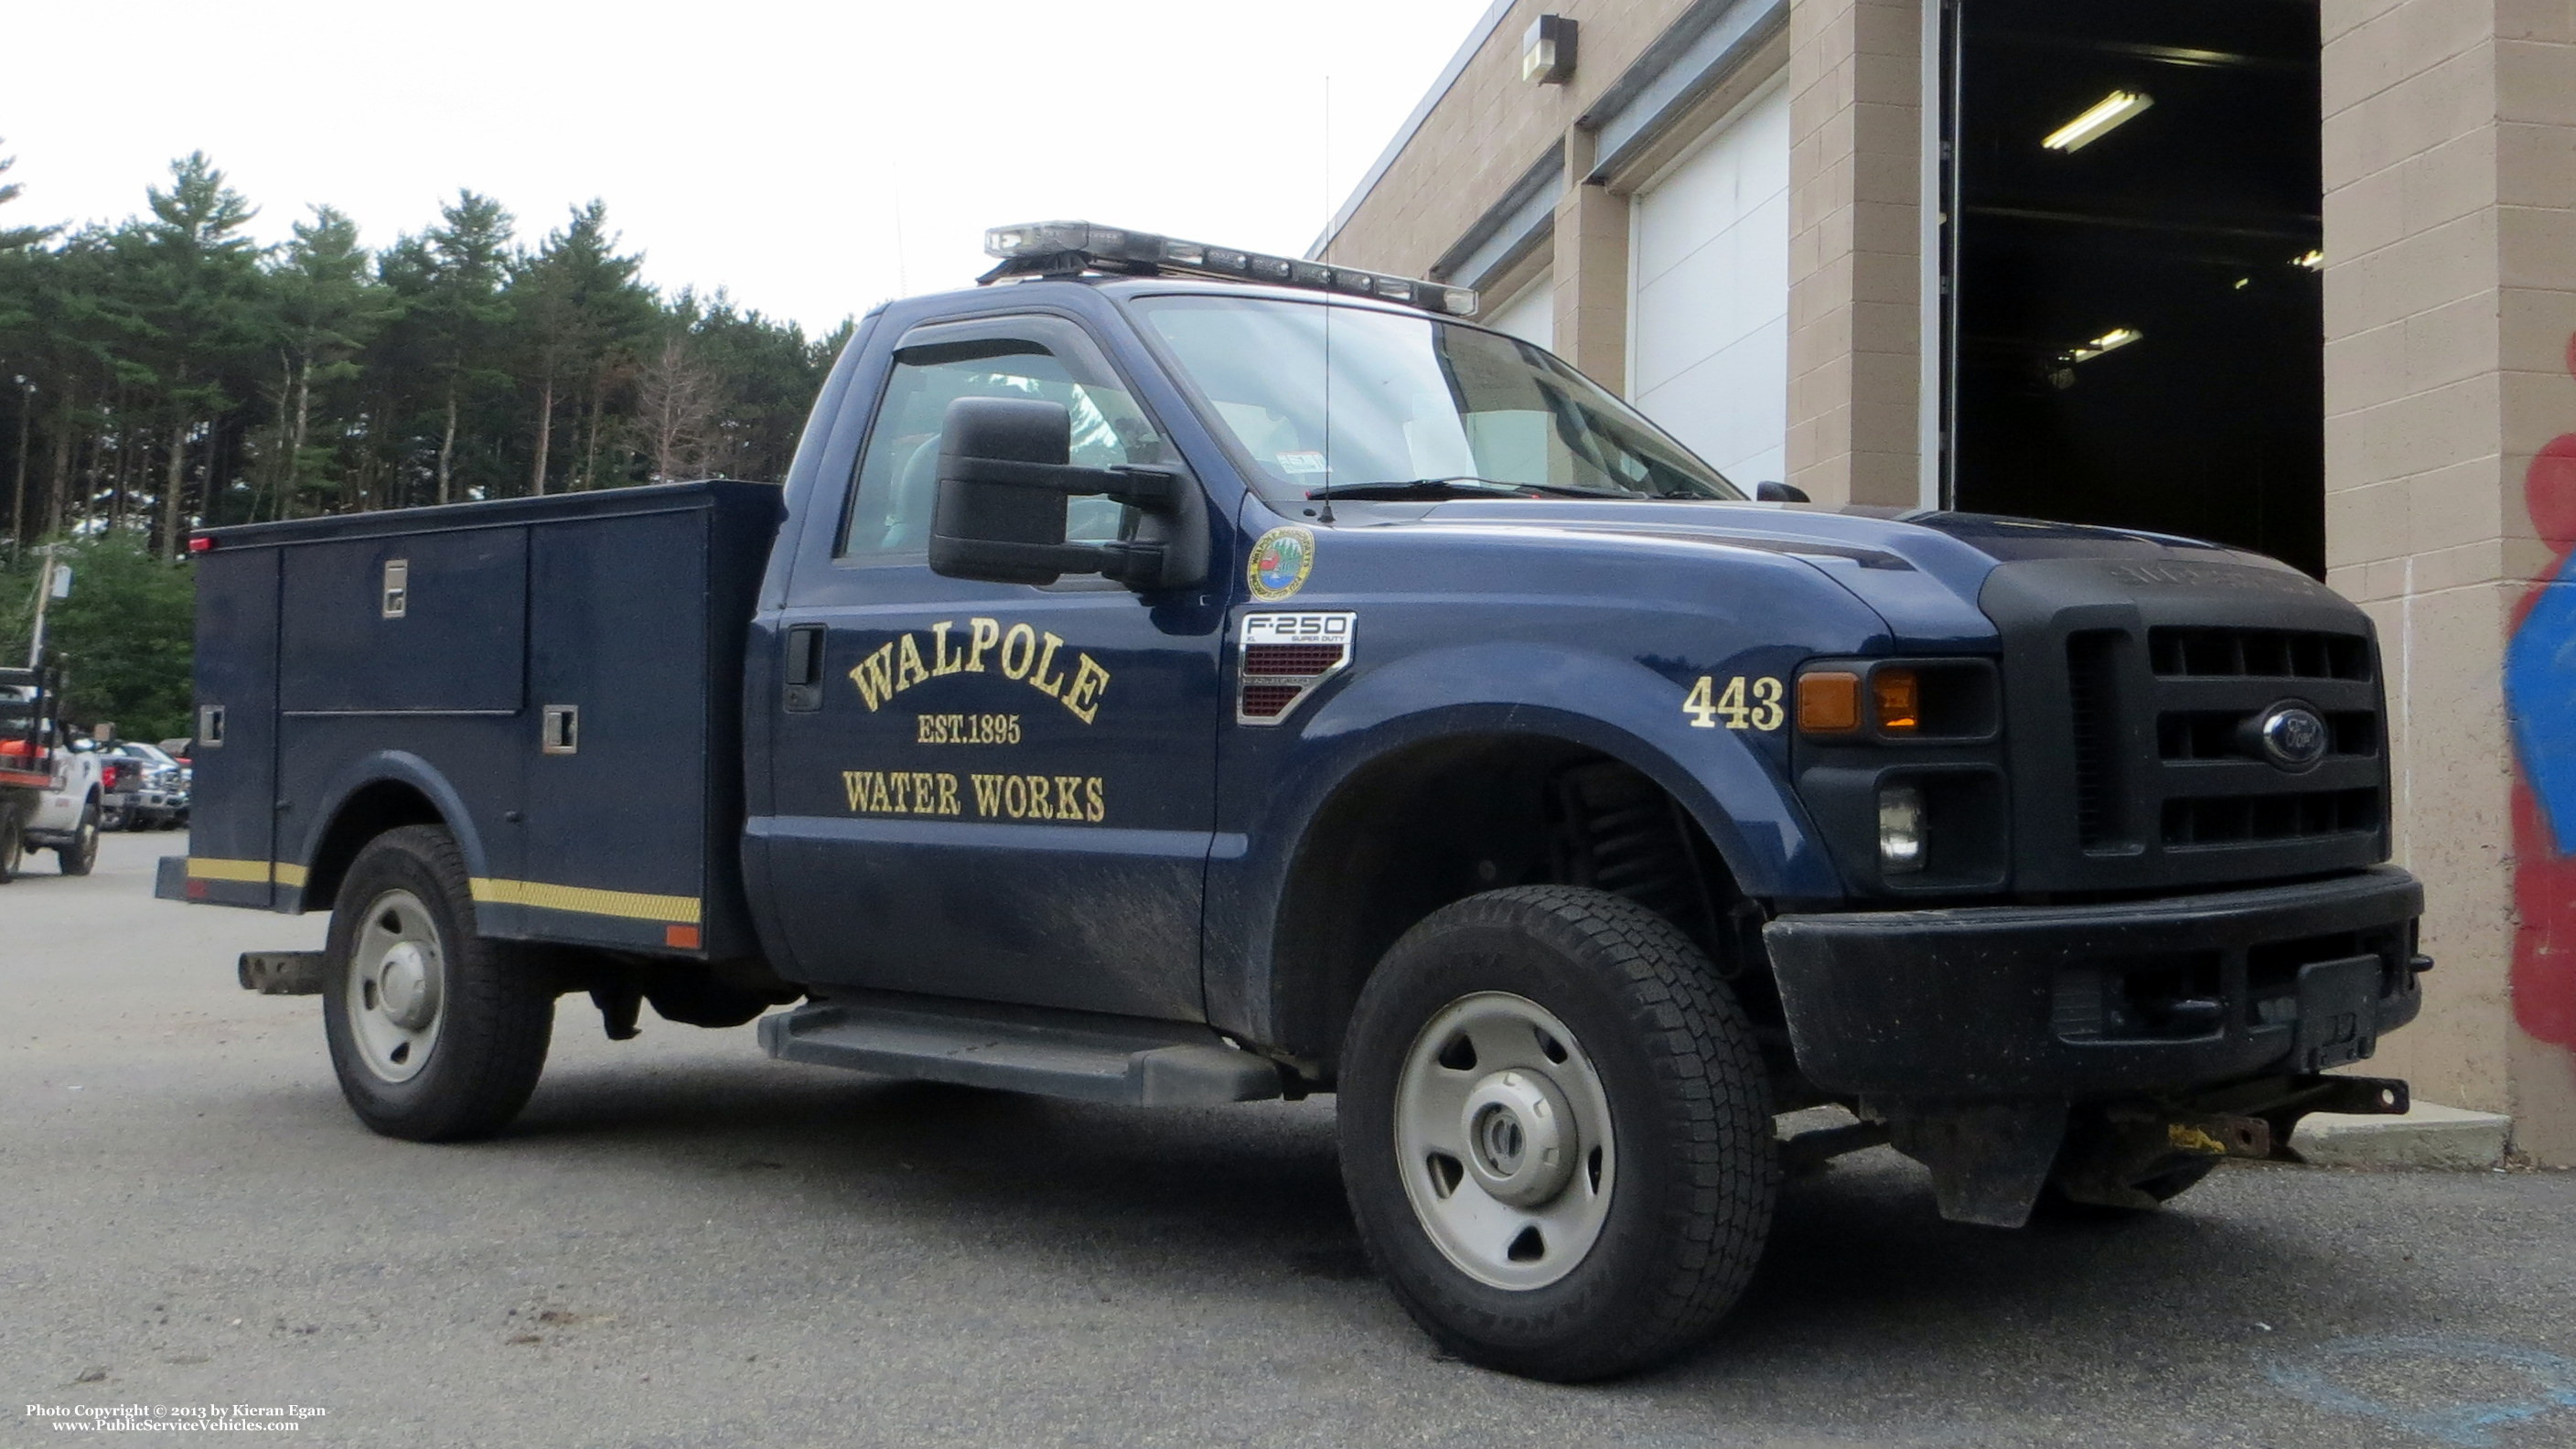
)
(1691, 1203)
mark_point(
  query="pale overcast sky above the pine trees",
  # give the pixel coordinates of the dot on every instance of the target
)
(810, 159)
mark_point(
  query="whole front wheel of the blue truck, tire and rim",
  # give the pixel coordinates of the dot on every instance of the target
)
(1557, 1133)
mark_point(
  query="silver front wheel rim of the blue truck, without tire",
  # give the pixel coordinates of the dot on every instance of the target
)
(1503, 1141)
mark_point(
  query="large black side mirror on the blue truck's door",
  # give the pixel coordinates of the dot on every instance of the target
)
(1003, 489)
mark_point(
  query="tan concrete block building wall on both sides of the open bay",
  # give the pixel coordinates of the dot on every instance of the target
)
(2451, 401)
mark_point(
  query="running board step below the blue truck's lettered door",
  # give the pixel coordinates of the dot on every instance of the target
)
(1050, 1053)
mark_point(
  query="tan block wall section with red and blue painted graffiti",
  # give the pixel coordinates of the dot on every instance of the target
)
(2451, 504)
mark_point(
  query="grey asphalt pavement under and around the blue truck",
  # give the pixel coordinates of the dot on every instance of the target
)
(689, 1244)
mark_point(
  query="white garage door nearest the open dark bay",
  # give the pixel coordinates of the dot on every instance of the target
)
(1709, 295)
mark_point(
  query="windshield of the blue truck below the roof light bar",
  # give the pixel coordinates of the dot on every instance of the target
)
(1413, 401)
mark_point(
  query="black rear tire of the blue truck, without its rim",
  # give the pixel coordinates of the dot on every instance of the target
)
(496, 1009)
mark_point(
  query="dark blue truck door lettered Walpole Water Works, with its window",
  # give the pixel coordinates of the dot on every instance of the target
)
(998, 793)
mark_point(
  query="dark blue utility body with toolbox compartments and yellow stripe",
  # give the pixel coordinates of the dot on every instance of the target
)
(560, 677)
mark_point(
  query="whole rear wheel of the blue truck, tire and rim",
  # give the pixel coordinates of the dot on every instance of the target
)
(437, 1035)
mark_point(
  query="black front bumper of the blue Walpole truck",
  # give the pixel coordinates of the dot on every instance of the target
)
(2093, 1002)
